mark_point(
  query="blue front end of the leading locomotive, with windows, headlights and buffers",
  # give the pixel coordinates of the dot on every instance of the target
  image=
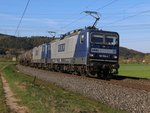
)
(103, 53)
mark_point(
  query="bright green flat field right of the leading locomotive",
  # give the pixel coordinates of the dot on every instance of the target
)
(135, 70)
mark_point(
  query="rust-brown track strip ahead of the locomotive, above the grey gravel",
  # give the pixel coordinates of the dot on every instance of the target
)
(124, 81)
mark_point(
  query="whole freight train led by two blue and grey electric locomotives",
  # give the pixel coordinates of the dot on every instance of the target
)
(88, 51)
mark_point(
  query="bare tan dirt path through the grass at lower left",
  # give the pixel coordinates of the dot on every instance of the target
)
(11, 101)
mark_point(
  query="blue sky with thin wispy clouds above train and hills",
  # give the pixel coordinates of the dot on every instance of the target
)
(130, 18)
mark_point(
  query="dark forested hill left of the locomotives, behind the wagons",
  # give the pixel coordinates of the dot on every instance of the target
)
(24, 43)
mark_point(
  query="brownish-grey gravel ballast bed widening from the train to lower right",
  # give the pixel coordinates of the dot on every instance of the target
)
(122, 94)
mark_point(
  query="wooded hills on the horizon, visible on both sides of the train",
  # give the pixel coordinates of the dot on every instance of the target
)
(15, 44)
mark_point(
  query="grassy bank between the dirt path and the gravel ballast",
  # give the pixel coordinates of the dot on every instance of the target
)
(42, 97)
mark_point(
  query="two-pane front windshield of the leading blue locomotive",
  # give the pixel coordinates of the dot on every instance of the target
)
(104, 39)
